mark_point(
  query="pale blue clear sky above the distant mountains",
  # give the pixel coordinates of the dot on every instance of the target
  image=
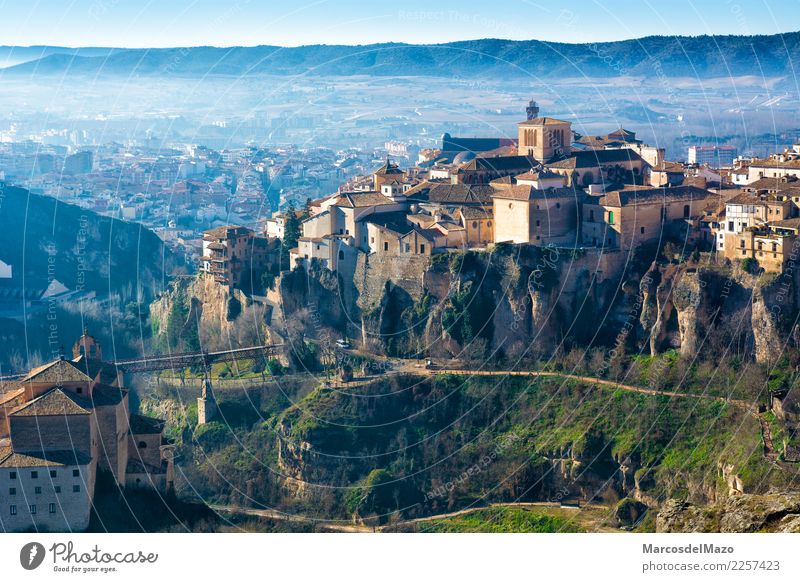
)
(170, 23)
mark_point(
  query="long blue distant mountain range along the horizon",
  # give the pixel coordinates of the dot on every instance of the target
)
(672, 56)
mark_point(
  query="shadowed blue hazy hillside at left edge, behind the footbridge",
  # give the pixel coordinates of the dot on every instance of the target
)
(116, 268)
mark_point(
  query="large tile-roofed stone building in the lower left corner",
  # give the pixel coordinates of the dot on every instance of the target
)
(61, 424)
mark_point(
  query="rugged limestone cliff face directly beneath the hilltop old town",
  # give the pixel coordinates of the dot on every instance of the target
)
(523, 301)
